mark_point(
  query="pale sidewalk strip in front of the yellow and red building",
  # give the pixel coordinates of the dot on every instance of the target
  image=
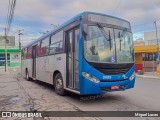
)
(149, 75)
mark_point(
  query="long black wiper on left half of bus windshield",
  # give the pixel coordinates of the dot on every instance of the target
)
(108, 37)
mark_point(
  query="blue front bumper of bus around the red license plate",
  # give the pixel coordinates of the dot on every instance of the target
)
(89, 87)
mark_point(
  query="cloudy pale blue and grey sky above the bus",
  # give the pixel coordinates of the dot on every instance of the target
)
(36, 16)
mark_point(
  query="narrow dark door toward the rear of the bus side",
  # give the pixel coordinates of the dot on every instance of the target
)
(34, 61)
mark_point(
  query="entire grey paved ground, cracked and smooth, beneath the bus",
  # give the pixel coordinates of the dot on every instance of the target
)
(16, 93)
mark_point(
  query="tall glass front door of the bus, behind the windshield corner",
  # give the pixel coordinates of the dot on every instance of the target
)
(72, 58)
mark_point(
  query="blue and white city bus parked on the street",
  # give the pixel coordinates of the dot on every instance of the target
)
(91, 53)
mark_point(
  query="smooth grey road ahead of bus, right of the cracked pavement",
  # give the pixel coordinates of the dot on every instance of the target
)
(145, 96)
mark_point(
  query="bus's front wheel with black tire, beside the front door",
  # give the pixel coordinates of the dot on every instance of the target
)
(58, 84)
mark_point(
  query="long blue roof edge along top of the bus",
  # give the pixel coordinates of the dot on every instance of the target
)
(78, 16)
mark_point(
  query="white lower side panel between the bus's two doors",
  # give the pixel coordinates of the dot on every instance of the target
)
(47, 65)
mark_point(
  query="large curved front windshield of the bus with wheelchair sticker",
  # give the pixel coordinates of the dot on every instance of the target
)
(104, 44)
